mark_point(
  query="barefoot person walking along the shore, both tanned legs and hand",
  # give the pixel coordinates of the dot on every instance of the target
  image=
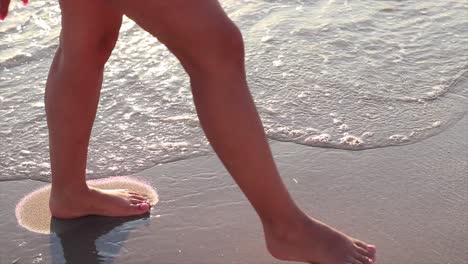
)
(211, 50)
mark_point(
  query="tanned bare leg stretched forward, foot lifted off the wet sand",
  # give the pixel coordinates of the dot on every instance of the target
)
(210, 48)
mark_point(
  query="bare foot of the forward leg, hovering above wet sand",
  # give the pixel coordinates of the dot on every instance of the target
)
(314, 242)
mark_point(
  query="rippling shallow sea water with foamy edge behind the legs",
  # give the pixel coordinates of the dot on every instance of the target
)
(341, 74)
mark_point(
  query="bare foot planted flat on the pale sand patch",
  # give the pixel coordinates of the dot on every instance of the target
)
(94, 201)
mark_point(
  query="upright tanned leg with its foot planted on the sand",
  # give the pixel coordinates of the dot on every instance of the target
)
(89, 32)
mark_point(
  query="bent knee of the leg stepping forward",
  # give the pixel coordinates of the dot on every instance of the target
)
(222, 52)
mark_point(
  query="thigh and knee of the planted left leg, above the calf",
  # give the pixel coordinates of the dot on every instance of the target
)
(89, 27)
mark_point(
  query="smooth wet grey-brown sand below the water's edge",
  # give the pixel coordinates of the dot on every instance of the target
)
(411, 201)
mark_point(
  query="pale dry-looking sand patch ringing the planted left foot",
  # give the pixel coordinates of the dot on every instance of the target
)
(33, 213)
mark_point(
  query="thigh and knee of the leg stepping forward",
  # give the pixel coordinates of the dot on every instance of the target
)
(191, 29)
